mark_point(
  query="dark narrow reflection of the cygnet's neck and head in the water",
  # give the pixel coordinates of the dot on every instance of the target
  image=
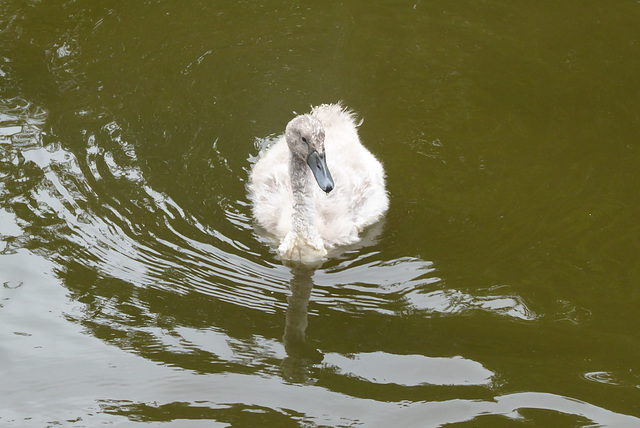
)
(300, 355)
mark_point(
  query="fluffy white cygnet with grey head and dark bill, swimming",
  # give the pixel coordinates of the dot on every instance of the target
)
(310, 217)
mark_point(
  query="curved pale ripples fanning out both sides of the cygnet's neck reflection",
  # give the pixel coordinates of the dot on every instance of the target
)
(162, 253)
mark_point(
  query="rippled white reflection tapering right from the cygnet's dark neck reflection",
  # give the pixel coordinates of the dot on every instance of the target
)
(409, 285)
